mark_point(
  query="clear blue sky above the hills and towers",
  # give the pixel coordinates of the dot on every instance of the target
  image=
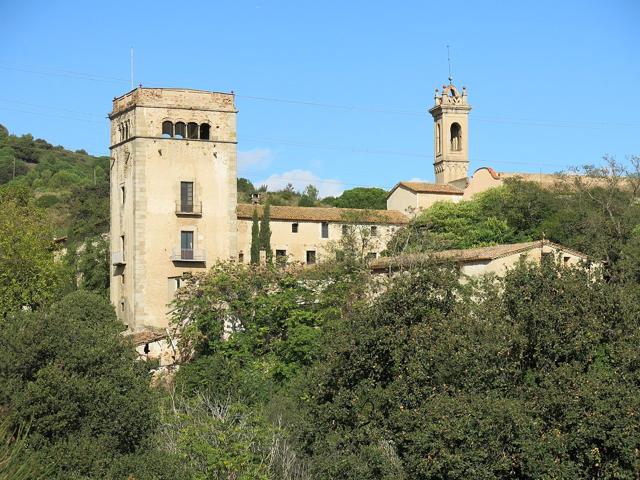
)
(336, 93)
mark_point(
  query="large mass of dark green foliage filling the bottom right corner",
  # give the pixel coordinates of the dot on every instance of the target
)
(527, 377)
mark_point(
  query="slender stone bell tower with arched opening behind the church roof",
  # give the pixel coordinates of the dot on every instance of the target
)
(451, 136)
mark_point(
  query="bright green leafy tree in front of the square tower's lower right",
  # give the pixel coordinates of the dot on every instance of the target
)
(252, 329)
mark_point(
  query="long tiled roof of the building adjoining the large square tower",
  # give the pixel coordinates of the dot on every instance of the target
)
(325, 214)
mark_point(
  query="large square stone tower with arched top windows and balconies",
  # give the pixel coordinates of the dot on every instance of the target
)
(173, 195)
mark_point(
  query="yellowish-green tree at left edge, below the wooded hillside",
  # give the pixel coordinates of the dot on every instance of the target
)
(29, 275)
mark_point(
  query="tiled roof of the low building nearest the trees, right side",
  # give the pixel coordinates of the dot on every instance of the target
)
(467, 255)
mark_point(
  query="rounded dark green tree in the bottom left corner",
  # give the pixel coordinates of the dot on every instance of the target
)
(68, 372)
